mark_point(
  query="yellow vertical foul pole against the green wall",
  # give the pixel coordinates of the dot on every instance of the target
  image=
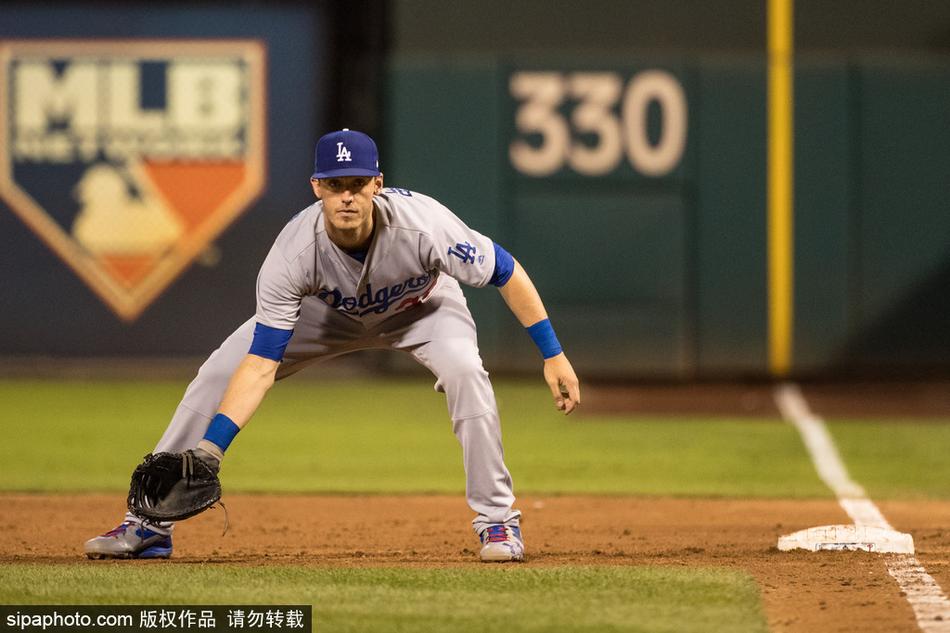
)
(780, 188)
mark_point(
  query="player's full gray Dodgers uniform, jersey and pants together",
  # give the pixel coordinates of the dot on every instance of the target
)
(404, 297)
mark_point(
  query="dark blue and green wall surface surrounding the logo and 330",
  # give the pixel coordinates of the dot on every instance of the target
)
(428, 80)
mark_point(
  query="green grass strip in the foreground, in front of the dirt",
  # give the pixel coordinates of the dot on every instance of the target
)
(509, 598)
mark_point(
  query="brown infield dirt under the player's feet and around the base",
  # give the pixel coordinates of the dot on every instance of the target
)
(827, 591)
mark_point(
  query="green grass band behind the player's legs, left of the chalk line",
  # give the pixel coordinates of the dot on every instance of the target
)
(394, 437)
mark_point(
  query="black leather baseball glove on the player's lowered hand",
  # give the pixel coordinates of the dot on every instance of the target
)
(174, 486)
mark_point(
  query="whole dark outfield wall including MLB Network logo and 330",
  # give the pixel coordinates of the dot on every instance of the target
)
(618, 150)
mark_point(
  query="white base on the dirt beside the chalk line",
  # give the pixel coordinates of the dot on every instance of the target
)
(849, 538)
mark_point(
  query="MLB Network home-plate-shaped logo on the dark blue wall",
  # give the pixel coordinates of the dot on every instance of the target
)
(128, 157)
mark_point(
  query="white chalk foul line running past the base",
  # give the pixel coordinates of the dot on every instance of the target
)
(930, 604)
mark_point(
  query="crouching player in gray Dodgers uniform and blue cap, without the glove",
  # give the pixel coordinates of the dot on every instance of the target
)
(367, 267)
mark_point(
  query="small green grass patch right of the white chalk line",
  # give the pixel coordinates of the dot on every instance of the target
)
(896, 459)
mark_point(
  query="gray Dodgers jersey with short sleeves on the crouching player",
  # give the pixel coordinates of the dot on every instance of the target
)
(416, 241)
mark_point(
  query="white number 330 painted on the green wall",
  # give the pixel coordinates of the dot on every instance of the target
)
(542, 95)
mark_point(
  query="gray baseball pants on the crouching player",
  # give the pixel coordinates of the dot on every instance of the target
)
(439, 334)
